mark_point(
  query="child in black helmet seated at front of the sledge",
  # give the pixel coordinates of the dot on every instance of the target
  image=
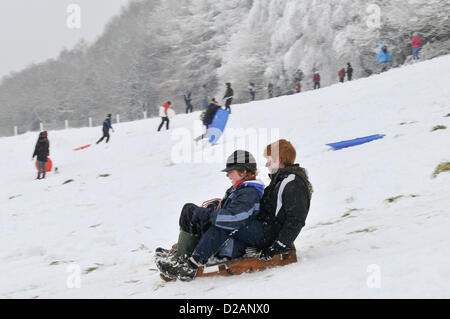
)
(224, 227)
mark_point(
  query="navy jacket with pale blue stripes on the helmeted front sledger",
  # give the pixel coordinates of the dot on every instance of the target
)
(237, 207)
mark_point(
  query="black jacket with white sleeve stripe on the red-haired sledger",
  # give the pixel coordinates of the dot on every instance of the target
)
(285, 205)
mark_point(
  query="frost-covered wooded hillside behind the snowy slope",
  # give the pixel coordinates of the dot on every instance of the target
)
(155, 50)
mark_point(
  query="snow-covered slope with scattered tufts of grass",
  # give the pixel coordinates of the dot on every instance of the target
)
(356, 243)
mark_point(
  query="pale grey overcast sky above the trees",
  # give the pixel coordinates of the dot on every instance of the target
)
(35, 30)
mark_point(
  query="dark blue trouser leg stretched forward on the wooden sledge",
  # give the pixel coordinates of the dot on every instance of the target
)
(228, 243)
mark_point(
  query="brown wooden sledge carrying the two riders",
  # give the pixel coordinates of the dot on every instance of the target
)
(243, 265)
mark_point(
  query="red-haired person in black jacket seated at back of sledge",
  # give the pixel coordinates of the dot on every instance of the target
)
(286, 201)
